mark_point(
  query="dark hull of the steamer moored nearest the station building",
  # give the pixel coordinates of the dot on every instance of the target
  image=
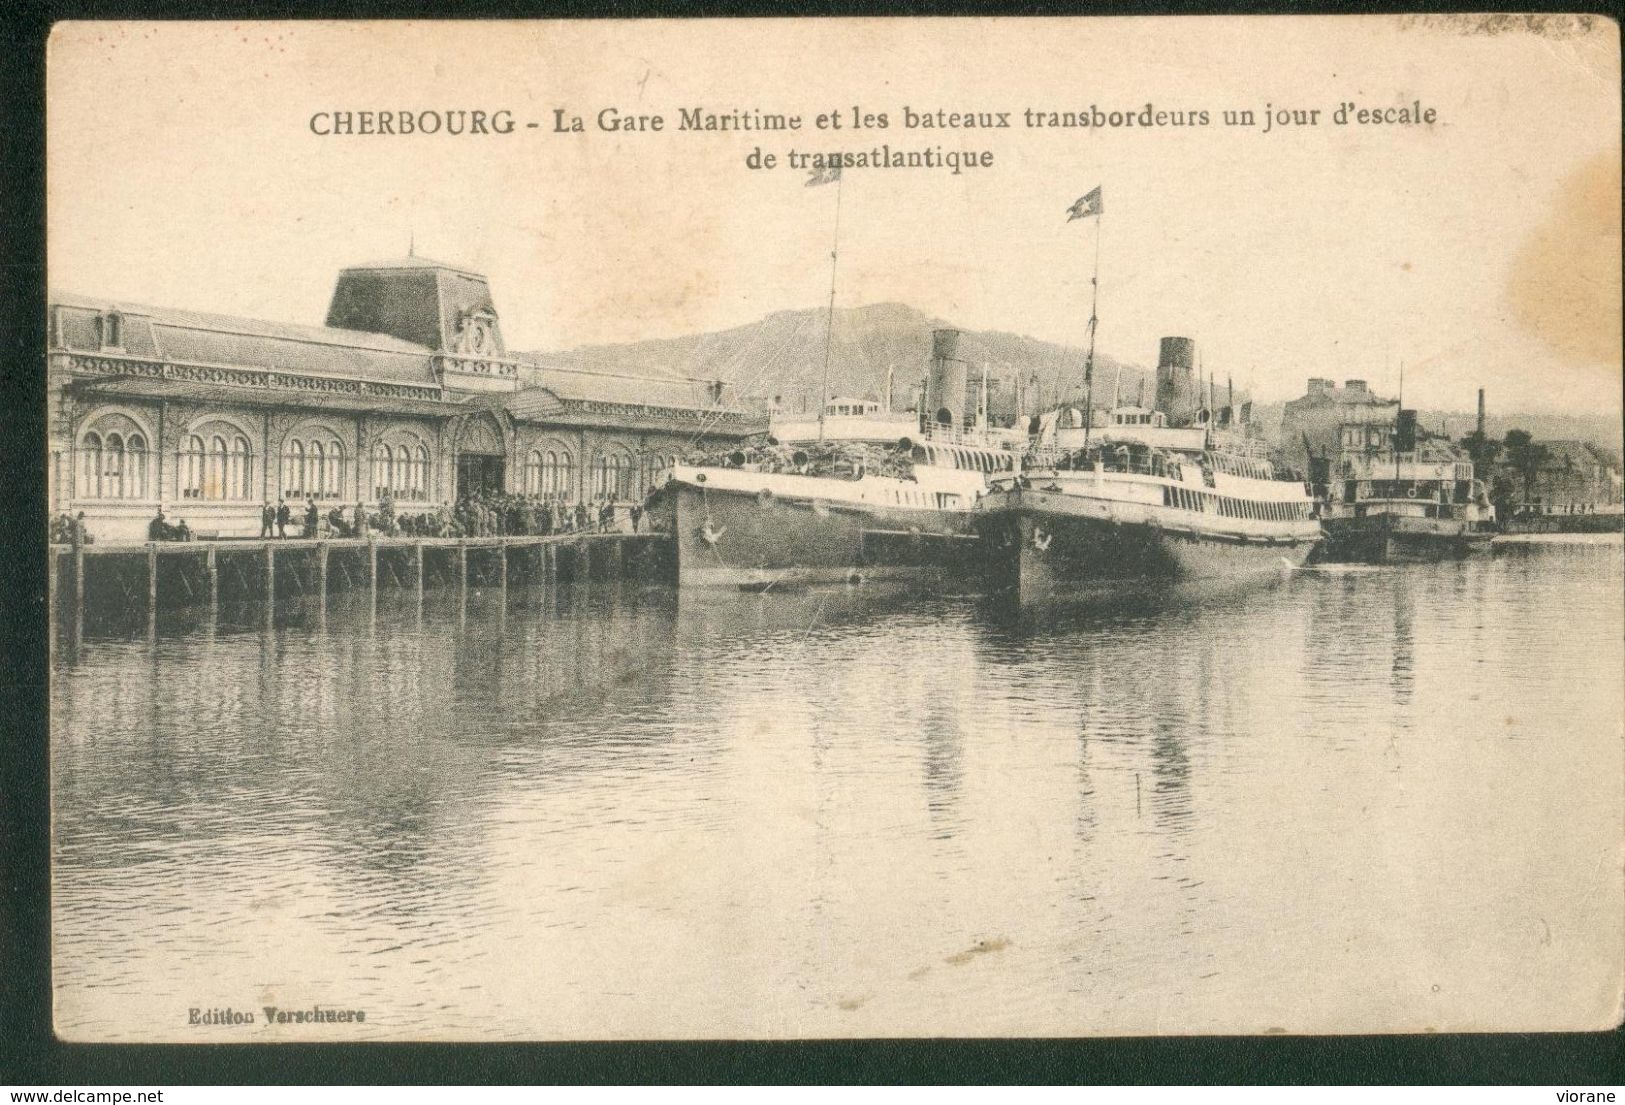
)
(752, 542)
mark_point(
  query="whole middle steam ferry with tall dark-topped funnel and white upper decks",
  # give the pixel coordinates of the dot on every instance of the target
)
(1171, 493)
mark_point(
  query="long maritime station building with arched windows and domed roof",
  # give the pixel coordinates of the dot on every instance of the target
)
(409, 392)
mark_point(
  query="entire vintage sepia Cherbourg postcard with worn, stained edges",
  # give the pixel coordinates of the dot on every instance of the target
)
(795, 529)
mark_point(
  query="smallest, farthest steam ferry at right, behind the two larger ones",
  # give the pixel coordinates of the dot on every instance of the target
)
(1393, 495)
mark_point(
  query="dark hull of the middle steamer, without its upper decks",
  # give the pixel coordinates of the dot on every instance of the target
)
(1042, 553)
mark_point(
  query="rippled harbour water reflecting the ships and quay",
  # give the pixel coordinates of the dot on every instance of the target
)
(1367, 799)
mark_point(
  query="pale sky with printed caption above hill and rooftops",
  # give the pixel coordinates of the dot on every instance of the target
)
(1478, 251)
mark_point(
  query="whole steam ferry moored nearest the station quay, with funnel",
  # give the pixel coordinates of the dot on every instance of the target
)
(851, 498)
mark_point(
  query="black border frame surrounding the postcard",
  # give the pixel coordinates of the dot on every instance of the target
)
(30, 1055)
